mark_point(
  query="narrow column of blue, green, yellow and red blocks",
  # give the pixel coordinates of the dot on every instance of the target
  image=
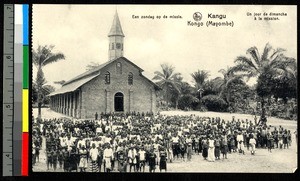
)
(25, 96)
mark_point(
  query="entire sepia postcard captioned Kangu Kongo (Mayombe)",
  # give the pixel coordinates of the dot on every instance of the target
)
(164, 88)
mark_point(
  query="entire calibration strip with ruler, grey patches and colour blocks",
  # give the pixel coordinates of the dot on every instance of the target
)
(15, 90)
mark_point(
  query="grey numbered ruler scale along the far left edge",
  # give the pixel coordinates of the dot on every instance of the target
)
(8, 90)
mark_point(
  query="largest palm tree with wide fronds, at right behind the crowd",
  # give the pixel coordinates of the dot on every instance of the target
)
(265, 68)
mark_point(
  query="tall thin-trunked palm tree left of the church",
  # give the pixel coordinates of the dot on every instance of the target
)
(40, 58)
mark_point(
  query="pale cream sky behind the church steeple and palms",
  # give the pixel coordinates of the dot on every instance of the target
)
(80, 33)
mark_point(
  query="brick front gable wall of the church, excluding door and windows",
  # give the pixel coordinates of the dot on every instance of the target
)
(99, 97)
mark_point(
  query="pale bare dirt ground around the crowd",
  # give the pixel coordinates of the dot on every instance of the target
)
(279, 161)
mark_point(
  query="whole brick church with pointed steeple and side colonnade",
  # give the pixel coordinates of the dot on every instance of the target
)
(117, 85)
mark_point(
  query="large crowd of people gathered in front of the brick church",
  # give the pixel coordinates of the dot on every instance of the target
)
(134, 142)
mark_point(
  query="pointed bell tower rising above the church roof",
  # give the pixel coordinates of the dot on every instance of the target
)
(116, 39)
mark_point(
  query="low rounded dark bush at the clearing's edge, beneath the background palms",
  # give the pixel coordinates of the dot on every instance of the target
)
(214, 103)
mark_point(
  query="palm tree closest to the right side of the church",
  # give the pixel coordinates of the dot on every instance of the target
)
(169, 82)
